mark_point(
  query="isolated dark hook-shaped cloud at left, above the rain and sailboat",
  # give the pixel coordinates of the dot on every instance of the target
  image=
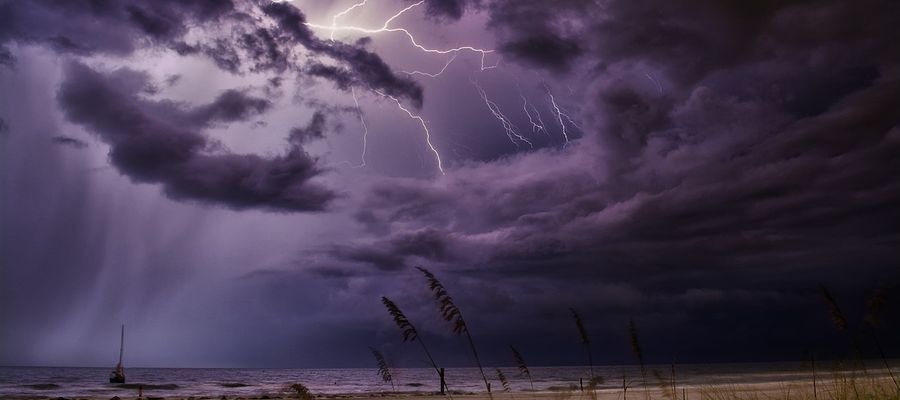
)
(159, 142)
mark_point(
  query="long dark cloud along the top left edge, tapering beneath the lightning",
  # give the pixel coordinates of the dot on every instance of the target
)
(82, 28)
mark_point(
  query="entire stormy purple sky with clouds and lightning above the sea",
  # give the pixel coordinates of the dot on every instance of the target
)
(200, 171)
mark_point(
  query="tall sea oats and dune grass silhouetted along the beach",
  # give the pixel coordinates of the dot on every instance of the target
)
(854, 383)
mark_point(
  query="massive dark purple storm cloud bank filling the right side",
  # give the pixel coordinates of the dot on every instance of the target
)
(731, 165)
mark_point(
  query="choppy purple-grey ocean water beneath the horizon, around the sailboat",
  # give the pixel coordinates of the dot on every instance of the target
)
(197, 382)
